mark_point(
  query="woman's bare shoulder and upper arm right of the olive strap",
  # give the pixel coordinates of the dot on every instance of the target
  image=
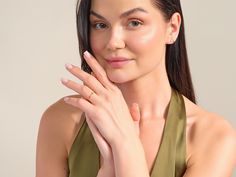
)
(211, 141)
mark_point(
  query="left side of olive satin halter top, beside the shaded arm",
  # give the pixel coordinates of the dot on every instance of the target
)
(84, 155)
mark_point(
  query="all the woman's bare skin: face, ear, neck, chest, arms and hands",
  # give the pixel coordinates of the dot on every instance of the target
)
(142, 37)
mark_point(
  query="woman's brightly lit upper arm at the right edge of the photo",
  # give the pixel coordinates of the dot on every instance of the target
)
(214, 154)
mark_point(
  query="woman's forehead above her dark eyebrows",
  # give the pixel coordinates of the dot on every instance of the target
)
(120, 5)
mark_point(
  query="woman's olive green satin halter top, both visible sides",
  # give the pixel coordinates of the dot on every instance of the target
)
(170, 161)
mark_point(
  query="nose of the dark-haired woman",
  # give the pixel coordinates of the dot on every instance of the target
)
(116, 39)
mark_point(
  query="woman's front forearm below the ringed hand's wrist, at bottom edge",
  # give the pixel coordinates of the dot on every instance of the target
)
(129, 160)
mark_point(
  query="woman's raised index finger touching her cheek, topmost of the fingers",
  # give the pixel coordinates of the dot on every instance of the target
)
(99, 72)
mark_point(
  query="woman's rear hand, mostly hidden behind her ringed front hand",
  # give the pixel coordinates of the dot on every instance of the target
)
(107, 168)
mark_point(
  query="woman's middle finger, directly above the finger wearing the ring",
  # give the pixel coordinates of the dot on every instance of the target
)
(86, 78)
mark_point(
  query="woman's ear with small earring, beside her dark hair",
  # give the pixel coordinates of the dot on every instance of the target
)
(173, 28)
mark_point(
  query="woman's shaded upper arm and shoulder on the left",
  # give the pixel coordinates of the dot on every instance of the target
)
(58, 127)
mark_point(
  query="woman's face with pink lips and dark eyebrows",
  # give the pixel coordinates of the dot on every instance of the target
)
(132, 30)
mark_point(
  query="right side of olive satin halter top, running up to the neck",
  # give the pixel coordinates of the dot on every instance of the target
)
(170, 160)
